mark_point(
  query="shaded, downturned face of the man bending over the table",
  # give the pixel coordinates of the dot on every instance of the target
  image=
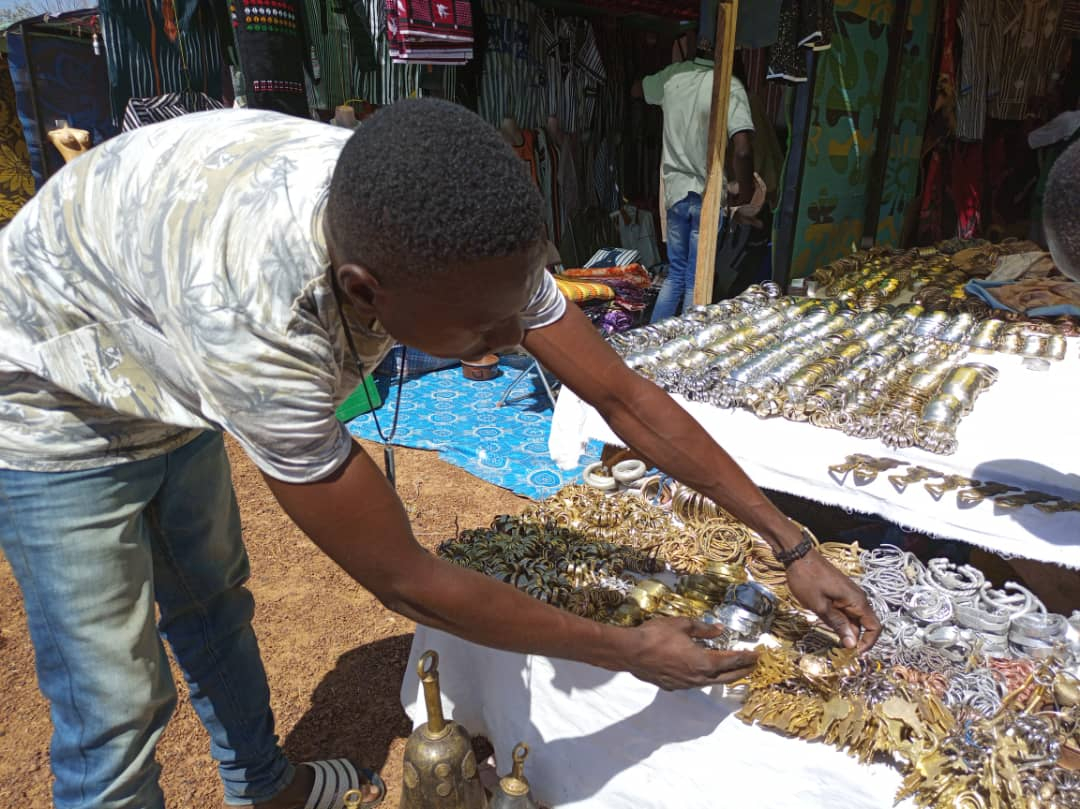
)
(469, 312)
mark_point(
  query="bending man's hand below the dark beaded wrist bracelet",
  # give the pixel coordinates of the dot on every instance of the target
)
(836, 599)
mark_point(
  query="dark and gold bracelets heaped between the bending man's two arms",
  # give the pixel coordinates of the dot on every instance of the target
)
(624, 559)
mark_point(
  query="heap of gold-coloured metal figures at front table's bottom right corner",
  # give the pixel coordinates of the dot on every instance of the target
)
(1019, 756)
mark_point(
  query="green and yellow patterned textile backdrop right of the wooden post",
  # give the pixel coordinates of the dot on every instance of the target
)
(844, 131)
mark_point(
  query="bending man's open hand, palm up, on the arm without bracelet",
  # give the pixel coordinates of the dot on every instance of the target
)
(669, 657)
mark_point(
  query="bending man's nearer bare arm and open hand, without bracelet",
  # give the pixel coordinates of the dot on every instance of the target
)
(356, 518)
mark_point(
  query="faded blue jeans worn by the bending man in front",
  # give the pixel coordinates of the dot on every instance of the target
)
(93, 551)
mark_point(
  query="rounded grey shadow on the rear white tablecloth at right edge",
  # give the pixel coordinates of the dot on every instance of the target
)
(1051, 528)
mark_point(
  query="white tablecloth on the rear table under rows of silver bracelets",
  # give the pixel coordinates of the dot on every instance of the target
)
(1024, 430)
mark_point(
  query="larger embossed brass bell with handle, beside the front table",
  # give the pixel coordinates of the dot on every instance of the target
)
(440, 768)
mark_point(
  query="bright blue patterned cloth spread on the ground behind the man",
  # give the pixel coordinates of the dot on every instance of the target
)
(457, 417)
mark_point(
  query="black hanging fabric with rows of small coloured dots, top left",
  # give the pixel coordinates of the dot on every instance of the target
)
(273, 45)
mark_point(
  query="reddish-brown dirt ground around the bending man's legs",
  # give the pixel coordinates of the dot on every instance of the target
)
(334, 656)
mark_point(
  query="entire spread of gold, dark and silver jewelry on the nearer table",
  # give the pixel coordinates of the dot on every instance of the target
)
(971, 690)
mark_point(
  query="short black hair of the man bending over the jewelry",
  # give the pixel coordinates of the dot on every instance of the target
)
(425, 184)
